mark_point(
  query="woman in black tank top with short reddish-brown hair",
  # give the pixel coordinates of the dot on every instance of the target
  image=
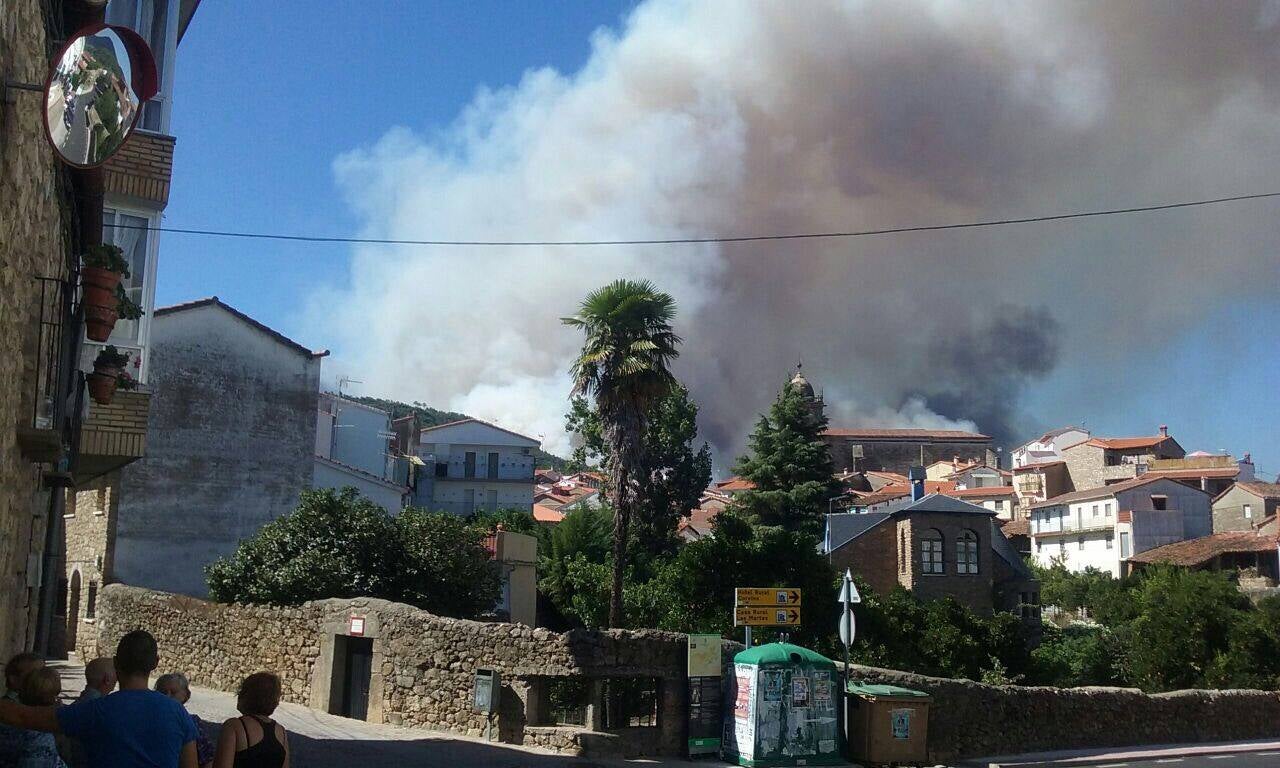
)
(254, 740)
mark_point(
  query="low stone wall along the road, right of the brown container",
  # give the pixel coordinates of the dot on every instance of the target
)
(970, 720)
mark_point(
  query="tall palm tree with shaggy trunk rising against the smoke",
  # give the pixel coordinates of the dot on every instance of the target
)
(624, 367)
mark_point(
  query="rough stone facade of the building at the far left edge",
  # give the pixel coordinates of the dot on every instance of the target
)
(31, 245)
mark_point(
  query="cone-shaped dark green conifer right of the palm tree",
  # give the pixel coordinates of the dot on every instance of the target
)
(789, 465)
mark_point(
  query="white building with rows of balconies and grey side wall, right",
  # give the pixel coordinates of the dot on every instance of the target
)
(1101, 528)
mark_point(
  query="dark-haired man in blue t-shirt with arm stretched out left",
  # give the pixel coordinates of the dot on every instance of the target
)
(135, 728)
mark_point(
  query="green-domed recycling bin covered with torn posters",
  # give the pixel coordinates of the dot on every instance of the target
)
(781, 708)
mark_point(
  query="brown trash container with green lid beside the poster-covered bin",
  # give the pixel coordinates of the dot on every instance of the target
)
(886, 725)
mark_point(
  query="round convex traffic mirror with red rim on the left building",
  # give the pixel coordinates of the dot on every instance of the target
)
(95, 93)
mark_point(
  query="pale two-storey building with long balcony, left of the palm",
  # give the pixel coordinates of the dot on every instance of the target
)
(474, 465)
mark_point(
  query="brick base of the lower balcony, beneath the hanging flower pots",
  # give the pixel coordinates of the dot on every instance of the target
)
(113, 436)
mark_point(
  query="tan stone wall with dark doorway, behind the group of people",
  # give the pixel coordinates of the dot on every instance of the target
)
(423, 665)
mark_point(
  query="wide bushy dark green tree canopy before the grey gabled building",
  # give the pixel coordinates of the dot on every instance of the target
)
(340, 545)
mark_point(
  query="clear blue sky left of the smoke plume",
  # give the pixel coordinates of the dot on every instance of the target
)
(269, 94)
